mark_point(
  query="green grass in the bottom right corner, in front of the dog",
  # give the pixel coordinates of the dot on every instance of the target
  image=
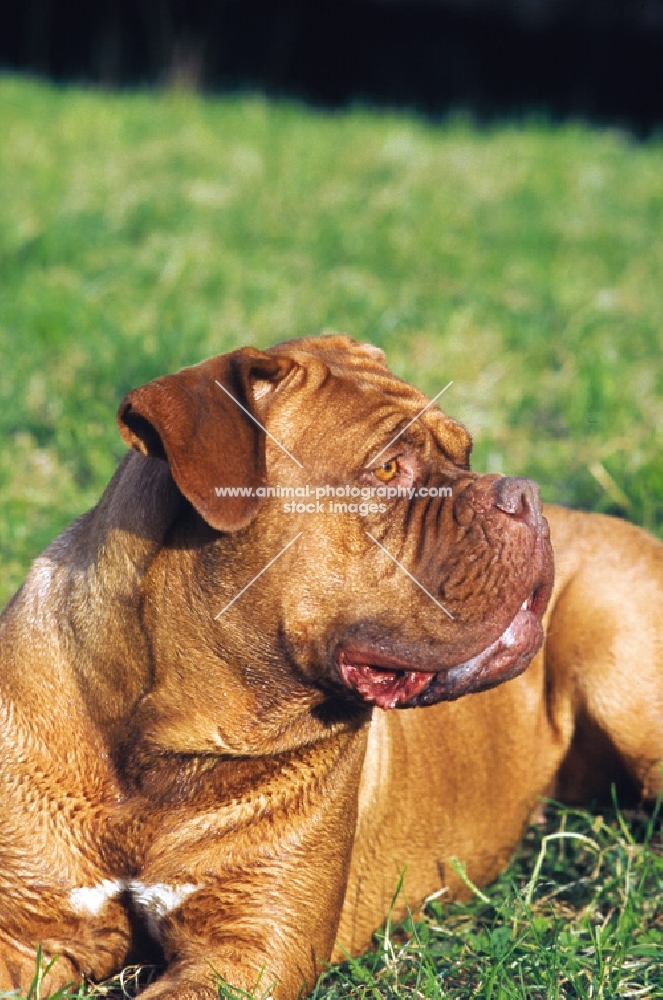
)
(578, 914)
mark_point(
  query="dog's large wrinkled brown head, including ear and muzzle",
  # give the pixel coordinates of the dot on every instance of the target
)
(333, 513)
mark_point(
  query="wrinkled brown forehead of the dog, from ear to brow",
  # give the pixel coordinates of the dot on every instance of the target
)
(388, 403)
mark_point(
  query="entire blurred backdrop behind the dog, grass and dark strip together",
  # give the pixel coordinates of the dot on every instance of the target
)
(474, 185)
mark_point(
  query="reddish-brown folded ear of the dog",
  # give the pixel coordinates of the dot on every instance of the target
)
(203, 421)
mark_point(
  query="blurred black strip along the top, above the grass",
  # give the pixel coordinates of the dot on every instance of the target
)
(597, 58)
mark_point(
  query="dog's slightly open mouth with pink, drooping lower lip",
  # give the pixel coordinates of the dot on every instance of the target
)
(378, 678)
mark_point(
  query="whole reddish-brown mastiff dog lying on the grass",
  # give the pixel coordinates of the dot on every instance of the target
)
(191, 752)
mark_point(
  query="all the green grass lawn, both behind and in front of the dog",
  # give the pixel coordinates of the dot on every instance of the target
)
(143, 232)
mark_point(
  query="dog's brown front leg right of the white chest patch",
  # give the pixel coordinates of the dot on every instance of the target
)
(252, 889)
